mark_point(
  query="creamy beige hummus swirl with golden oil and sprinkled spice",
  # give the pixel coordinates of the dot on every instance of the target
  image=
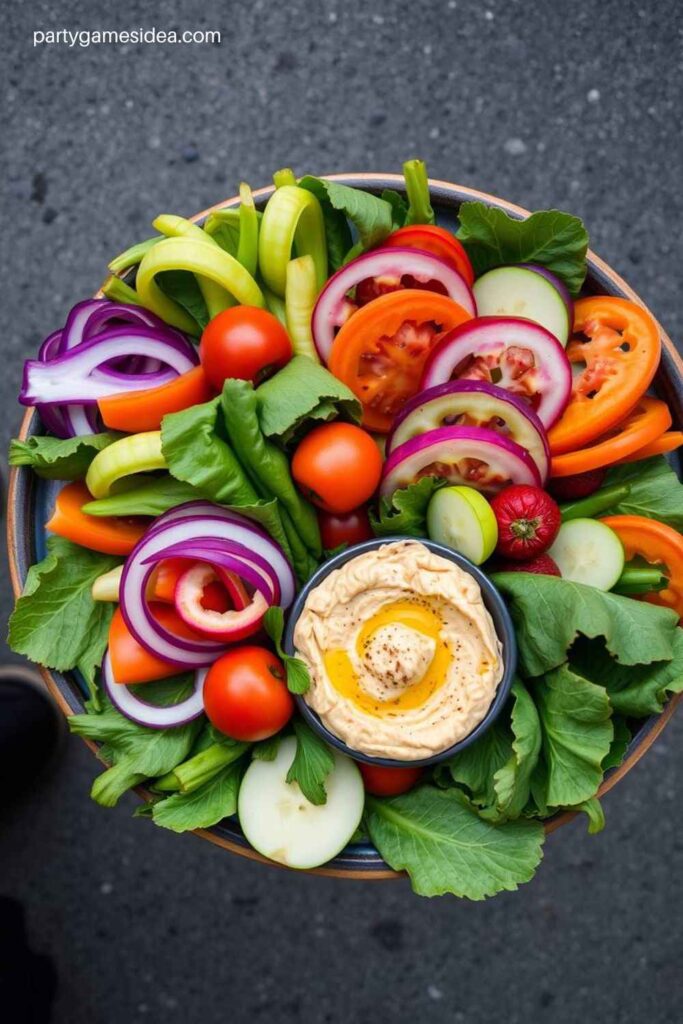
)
(403, 654)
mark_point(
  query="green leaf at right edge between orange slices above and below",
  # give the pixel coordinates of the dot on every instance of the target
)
(655, 491)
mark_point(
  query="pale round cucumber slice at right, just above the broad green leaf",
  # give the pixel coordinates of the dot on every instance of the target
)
(587, 551)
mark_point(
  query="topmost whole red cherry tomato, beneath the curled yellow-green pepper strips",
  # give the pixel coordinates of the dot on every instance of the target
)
(244, 343)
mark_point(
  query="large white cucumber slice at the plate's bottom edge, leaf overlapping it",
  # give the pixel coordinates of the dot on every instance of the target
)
(283, 826)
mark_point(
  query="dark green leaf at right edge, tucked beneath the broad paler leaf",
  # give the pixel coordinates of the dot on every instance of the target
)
(635, 692)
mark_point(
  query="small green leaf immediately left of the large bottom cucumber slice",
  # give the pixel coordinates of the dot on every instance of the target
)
(203, 807)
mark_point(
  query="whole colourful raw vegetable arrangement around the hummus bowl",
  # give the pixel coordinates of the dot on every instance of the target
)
(254, 394)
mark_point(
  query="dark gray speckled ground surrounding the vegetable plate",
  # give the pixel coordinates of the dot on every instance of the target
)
(576, 106)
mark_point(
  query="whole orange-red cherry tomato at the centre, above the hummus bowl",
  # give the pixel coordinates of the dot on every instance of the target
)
(338, 467)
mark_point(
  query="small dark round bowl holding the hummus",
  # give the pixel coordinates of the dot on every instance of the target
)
(502, 623)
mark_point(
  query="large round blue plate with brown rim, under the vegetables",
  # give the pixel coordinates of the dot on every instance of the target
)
(30, 501)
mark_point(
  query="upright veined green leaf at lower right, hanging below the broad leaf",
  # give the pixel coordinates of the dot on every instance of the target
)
(577, 737)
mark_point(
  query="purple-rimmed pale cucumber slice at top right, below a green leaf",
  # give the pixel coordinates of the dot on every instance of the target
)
(518, 291)
